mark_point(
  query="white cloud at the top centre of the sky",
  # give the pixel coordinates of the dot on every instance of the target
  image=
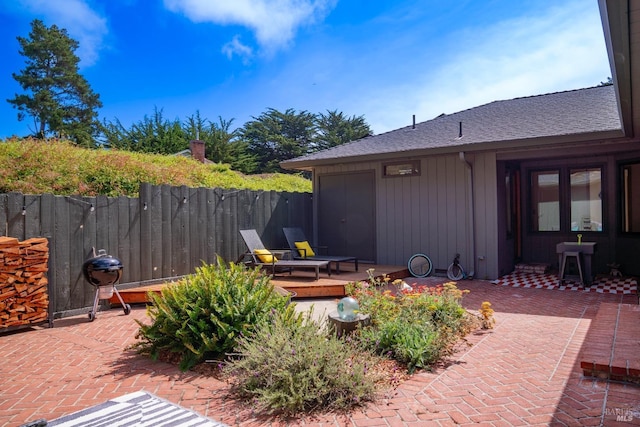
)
(274, 22)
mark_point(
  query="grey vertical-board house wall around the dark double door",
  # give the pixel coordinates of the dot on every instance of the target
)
(435, 212)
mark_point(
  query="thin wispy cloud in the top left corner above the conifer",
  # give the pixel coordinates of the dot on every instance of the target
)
(81, 22)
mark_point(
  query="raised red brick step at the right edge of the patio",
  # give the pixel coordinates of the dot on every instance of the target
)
(612, 347)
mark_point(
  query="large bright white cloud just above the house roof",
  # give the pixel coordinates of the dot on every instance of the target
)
(561, 50)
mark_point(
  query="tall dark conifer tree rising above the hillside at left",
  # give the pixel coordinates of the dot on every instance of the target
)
(57, 97)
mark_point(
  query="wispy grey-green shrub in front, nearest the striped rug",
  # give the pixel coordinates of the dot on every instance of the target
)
(289, 368)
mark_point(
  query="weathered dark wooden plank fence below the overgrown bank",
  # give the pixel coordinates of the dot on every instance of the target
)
(165, 233)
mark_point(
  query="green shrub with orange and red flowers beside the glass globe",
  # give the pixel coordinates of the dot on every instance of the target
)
(418, 327)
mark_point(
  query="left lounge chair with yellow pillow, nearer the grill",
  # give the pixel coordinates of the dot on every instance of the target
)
(276, 259)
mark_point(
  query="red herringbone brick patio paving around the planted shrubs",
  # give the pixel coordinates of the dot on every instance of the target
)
(524, 372)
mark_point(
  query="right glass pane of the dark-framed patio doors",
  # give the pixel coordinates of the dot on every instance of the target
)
(586, 199)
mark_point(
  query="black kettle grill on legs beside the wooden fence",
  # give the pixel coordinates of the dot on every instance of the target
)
(103, 272)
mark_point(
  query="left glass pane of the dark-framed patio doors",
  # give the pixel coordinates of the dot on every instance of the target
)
(545, 200)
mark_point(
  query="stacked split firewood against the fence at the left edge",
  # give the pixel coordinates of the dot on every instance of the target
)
(24, 299)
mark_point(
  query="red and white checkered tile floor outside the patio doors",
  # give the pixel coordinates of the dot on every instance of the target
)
(606, 285)
